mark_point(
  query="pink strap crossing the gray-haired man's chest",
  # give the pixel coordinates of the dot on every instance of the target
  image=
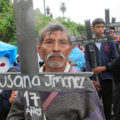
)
(49, 100)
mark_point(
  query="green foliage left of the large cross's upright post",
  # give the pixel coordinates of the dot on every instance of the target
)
(7, 21)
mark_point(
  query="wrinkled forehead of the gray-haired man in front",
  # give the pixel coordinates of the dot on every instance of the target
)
(59, 33)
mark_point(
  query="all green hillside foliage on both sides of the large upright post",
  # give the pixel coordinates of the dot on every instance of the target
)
(8, 29)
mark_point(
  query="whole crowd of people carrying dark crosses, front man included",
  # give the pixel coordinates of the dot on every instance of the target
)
(58, 54)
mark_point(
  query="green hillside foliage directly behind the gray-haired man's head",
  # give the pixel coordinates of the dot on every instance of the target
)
(41, 21)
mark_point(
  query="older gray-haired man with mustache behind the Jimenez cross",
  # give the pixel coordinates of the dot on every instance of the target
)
(54, 46)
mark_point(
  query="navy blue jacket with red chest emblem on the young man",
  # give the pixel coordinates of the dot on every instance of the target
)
(104, 57)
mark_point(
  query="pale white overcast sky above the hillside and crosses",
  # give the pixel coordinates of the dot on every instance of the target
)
(80, 10)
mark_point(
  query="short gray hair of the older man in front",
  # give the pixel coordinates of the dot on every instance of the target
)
(53, 27)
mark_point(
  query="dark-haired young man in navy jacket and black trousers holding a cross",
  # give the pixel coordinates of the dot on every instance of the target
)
(106, 52)
